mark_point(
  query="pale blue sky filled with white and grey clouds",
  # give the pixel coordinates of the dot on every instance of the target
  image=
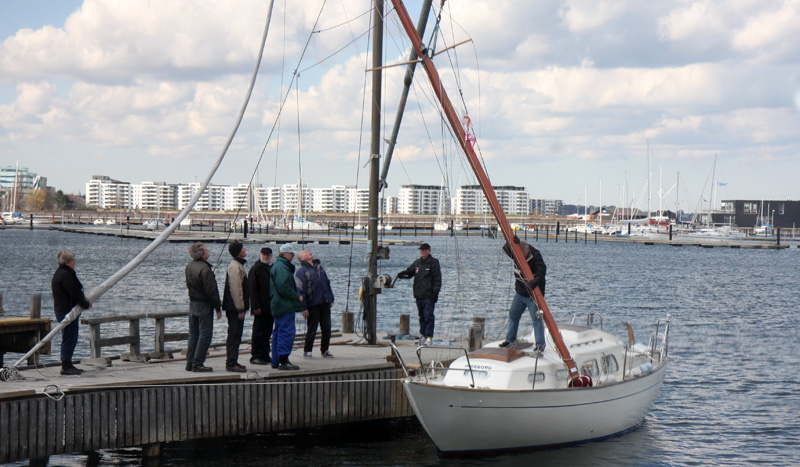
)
(577, 100)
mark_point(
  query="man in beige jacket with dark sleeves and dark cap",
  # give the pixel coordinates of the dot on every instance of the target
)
(235, 302)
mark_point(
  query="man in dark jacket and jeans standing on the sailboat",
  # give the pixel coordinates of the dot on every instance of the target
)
(523, 298)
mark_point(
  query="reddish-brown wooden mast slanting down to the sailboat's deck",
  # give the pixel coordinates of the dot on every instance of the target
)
(483, 179)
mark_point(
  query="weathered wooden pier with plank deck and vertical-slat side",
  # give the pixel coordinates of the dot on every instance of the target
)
(146, 404)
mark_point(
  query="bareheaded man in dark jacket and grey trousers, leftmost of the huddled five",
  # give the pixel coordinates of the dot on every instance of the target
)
(203, 300)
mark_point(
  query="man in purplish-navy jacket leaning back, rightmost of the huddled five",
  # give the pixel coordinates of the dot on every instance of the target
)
(316, 296)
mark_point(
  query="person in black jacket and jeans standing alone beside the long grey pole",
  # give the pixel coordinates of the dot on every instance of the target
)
(67, 292)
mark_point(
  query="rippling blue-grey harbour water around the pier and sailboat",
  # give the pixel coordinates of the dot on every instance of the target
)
(731, 395)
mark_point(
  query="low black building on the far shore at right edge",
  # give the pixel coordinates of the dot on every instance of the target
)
(750, 213)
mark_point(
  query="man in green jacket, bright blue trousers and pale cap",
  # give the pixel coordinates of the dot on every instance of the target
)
(284, 303)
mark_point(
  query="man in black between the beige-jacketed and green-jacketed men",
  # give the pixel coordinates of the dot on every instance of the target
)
(258, 282)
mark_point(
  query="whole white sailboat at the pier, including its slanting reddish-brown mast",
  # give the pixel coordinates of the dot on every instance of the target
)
(588, 384)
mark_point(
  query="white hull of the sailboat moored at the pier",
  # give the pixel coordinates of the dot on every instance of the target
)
(464, 420)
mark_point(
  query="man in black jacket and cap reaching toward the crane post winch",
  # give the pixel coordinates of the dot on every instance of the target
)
(427, 283)
